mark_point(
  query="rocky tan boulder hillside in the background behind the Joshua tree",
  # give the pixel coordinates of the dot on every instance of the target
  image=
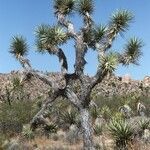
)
(112, 86)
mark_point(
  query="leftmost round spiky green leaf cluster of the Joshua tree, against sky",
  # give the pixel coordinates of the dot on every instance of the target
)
(18, 46)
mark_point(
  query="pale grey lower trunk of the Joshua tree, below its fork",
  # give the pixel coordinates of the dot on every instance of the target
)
(87, 129)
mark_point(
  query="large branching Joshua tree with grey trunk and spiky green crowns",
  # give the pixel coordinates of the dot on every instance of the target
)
(90, 36)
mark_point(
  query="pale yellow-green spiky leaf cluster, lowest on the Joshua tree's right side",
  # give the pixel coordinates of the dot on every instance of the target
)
(109, 62)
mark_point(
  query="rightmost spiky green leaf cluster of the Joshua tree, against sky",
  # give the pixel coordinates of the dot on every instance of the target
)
(132, 51)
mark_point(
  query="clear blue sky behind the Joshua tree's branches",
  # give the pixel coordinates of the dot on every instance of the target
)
(23, 16)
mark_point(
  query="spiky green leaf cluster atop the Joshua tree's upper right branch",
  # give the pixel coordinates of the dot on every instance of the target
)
(120, 20)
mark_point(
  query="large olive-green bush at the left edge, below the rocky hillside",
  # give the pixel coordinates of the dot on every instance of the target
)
(12, 117)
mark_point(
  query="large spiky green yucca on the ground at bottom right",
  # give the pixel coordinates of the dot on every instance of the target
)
(121, 132)
